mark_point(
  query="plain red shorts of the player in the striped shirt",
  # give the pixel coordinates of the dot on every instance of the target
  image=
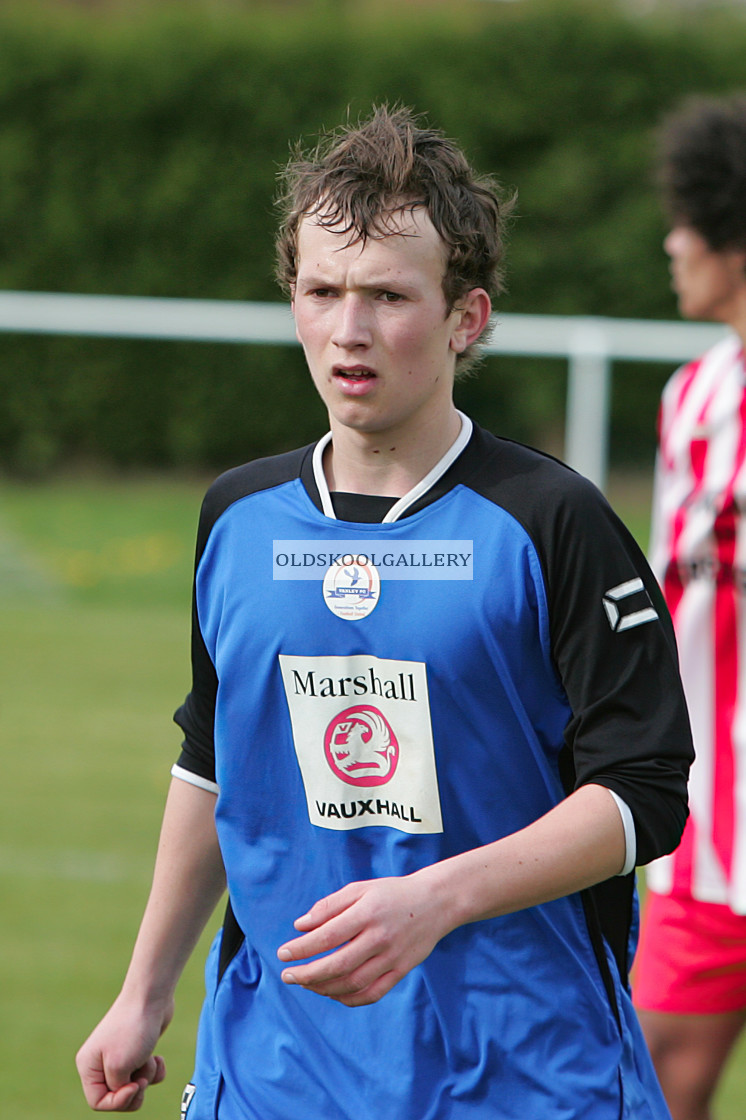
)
(692, 958)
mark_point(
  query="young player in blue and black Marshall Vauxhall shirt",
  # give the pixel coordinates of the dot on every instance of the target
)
(435, 718)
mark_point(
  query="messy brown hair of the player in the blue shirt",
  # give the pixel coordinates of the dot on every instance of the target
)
(359, 179)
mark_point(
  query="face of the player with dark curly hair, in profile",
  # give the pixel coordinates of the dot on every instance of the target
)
(708, 283)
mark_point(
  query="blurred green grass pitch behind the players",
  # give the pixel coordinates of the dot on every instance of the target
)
(95, 593)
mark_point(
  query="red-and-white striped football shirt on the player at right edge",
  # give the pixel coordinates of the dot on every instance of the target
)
(698, 553)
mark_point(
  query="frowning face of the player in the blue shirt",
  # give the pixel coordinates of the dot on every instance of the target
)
(374, 323)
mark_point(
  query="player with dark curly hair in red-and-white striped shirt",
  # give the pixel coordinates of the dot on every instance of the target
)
(691, 981)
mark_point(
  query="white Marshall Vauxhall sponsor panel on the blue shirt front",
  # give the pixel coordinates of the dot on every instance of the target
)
(363, 736)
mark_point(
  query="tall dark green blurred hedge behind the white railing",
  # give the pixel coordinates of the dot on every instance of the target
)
(138, 155)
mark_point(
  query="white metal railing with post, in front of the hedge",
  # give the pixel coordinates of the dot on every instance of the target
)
(590, 344)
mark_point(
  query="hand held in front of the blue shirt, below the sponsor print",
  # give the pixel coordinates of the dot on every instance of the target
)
(374, 932)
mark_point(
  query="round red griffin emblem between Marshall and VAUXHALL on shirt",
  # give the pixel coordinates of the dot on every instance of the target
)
(361, 746)
